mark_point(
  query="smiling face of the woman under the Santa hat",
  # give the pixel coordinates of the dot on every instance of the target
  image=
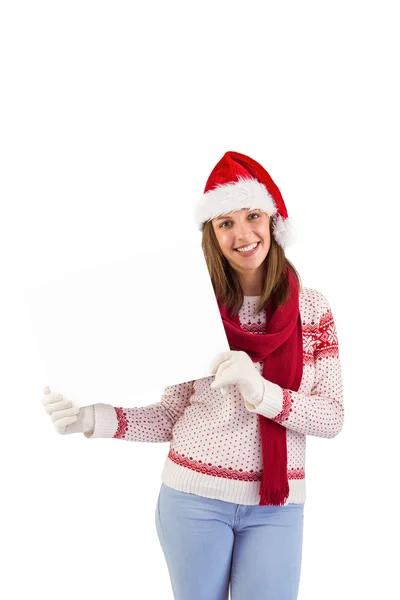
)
(243, 228)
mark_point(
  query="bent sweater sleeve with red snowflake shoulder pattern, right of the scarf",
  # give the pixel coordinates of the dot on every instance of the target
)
(321, 413)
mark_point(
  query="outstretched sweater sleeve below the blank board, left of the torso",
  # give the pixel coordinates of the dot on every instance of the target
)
(153, 423)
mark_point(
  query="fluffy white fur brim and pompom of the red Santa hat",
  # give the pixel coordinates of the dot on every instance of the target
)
(245, 193)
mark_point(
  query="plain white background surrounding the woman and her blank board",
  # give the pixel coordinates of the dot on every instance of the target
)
(112, 116)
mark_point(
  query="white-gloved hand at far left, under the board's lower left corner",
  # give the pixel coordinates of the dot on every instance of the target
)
(66, 417)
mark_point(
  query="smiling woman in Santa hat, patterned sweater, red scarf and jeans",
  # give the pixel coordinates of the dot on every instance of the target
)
(231, 505)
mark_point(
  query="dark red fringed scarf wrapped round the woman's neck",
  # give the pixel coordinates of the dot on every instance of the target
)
(281, 348)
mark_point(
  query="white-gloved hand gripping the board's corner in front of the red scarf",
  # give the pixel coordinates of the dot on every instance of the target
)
(236, 367)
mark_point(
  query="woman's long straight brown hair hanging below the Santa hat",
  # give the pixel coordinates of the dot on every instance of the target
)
(225, 280)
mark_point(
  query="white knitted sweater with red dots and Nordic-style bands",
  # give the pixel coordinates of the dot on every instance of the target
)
(215, 442)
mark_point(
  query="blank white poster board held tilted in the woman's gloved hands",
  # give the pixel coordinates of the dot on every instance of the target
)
(121, 332)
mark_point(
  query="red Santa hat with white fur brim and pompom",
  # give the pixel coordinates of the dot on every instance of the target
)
(237, 181)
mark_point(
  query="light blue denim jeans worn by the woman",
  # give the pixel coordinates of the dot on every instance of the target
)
(210, 544)
